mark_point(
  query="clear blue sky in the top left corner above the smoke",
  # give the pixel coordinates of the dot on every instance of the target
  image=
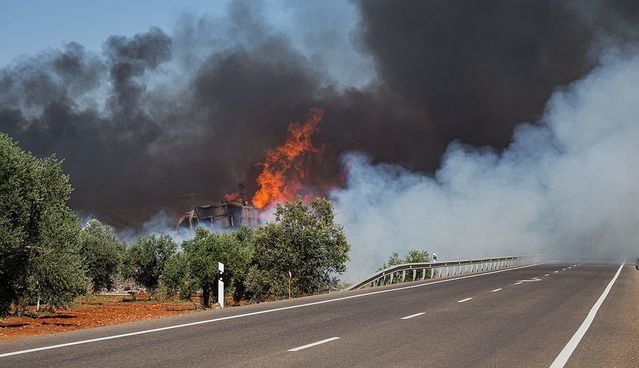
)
(28, 26)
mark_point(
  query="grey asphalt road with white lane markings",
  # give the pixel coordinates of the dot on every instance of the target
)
(517, 318)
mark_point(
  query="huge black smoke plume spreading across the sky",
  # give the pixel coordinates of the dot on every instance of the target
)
(161, 121)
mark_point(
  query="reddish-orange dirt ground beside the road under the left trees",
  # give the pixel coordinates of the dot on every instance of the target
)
(92, 312)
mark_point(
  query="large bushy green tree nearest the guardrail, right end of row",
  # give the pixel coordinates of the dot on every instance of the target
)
(305, 241)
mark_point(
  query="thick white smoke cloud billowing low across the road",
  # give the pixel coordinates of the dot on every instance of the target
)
(567, 187)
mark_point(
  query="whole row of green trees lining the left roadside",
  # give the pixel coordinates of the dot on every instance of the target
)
(48, 260)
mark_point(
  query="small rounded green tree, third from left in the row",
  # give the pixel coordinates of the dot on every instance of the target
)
(146, 259)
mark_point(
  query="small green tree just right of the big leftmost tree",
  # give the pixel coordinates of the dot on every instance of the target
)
(103, 253)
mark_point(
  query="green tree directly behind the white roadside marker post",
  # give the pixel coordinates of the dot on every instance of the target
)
(233, 248)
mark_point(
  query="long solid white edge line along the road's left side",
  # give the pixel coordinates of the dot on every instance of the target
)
(80, 342)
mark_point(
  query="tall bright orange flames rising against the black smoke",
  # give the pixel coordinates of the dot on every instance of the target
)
(285, 167)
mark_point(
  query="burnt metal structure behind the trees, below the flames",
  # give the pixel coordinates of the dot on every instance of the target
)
(227, 214)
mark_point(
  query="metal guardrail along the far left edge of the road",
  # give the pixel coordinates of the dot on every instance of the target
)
(430, 270)
